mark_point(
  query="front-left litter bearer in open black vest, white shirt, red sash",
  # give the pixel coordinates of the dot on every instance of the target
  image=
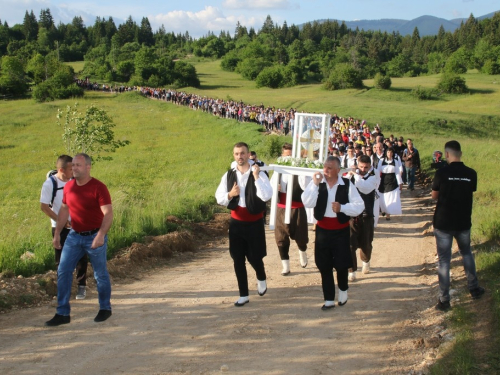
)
(244, 190)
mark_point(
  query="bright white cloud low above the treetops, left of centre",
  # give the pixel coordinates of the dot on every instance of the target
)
(199, 23)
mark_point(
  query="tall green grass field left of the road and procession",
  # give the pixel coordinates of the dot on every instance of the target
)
(172, 167)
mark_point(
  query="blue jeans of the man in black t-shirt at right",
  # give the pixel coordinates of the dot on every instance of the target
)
(444, 240)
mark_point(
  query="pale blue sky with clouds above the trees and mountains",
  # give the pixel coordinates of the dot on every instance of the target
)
(197, 17)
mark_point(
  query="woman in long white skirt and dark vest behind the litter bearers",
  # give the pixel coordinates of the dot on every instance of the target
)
(390, 184)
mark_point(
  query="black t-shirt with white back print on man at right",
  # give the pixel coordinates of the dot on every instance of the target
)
(456, 184)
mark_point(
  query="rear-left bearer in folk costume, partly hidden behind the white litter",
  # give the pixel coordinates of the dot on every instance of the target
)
(297, 229)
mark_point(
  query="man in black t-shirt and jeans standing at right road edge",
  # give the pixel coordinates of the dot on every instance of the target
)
(453, 187)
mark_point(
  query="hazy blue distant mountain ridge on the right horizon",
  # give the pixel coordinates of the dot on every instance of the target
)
(427, 25)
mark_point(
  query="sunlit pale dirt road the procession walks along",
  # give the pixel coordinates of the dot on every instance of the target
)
(180, 319)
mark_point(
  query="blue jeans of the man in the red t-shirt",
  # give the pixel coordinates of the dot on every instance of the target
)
(74, 249)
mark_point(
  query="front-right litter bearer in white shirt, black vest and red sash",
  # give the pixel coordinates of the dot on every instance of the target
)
(335, 200)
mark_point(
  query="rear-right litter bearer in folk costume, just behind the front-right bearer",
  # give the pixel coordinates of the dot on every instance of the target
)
(362, 225)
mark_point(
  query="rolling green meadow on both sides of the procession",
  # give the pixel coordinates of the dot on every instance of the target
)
(177, 156)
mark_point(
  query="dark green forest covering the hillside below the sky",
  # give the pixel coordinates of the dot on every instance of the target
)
(32, 53)
